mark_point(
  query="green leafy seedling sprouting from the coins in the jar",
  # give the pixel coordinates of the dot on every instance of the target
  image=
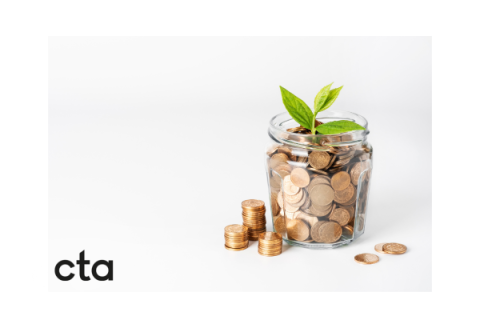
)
(301, 113)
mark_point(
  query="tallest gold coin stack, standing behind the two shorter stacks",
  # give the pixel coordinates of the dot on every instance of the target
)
(254, 217)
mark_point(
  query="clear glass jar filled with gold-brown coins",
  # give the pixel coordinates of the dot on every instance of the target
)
(318, 184)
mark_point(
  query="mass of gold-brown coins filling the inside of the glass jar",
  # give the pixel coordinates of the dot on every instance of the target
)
(328, 186)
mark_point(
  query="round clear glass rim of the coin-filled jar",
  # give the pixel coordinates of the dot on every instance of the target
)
(280, 123)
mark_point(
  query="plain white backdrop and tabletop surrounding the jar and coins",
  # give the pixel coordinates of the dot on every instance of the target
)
(154, 142)
